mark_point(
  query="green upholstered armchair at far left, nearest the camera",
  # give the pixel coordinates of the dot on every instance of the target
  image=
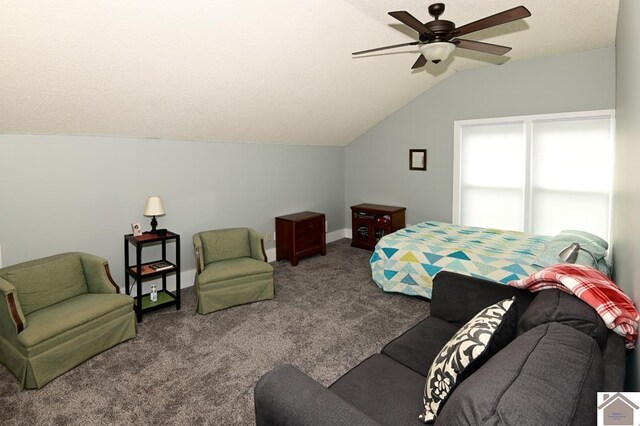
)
(57, 312)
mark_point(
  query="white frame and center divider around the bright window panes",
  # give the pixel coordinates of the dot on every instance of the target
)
(527, 121)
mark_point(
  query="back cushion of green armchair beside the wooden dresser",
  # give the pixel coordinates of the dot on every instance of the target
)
(225, 244)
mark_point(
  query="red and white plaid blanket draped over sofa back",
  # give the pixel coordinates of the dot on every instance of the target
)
(616, 308)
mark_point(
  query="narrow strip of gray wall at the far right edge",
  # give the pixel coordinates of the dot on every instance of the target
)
(626, 207)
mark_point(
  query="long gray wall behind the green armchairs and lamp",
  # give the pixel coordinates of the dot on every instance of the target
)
(68, 193)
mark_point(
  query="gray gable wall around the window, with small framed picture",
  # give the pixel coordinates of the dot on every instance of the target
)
(377, 168)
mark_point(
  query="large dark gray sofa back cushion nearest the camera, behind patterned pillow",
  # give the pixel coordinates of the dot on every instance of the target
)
(548, 375)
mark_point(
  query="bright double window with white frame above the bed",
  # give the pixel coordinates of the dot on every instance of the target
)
(538, 174)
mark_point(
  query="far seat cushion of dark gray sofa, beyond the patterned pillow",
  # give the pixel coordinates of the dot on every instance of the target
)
(417, 347)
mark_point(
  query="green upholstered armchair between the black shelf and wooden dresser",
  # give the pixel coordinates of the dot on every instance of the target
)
(232, 269)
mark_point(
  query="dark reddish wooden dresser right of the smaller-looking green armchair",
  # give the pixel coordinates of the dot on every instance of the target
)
(299, 235)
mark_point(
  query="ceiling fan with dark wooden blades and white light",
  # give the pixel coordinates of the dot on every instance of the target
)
(438, 38)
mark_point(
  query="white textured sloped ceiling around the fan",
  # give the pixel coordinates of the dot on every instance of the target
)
(277, 71)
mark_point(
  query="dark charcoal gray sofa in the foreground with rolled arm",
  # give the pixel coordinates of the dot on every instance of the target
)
(549, 374)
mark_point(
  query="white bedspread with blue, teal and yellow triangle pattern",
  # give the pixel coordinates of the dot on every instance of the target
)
(407, 260)
